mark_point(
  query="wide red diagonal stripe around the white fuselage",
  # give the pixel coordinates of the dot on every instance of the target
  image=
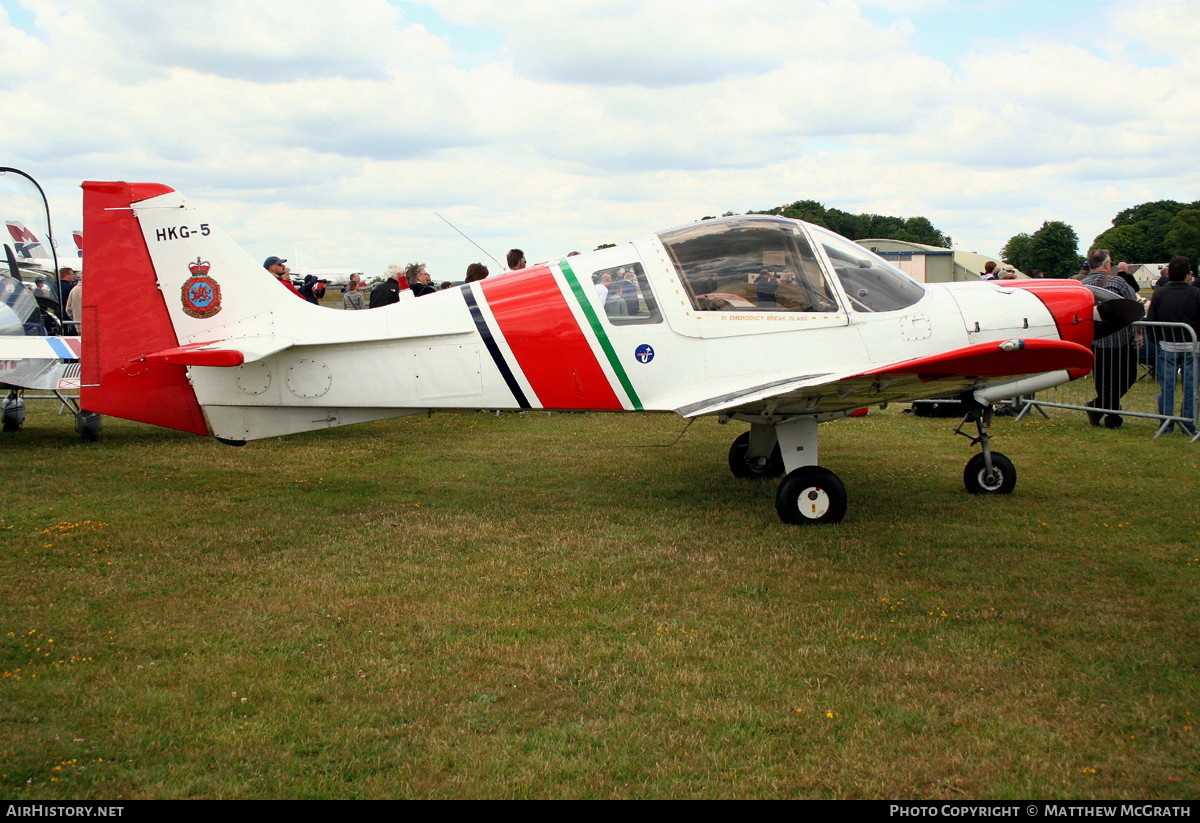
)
(548, 343)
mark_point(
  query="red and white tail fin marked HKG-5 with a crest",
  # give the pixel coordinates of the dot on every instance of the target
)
(154, 303)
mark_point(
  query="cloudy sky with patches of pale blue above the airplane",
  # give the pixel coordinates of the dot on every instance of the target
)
(335, 131)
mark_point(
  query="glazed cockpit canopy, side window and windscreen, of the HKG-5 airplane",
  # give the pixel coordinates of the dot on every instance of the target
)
(761, 263)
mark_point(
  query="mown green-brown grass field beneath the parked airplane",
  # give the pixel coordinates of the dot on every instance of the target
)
(536, 606)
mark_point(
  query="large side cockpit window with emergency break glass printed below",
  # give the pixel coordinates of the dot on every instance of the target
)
(751, 265)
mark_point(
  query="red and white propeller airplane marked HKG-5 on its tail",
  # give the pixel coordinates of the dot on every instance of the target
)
(767, 321)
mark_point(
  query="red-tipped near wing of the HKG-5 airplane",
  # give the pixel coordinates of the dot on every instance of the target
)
(937, 376)
